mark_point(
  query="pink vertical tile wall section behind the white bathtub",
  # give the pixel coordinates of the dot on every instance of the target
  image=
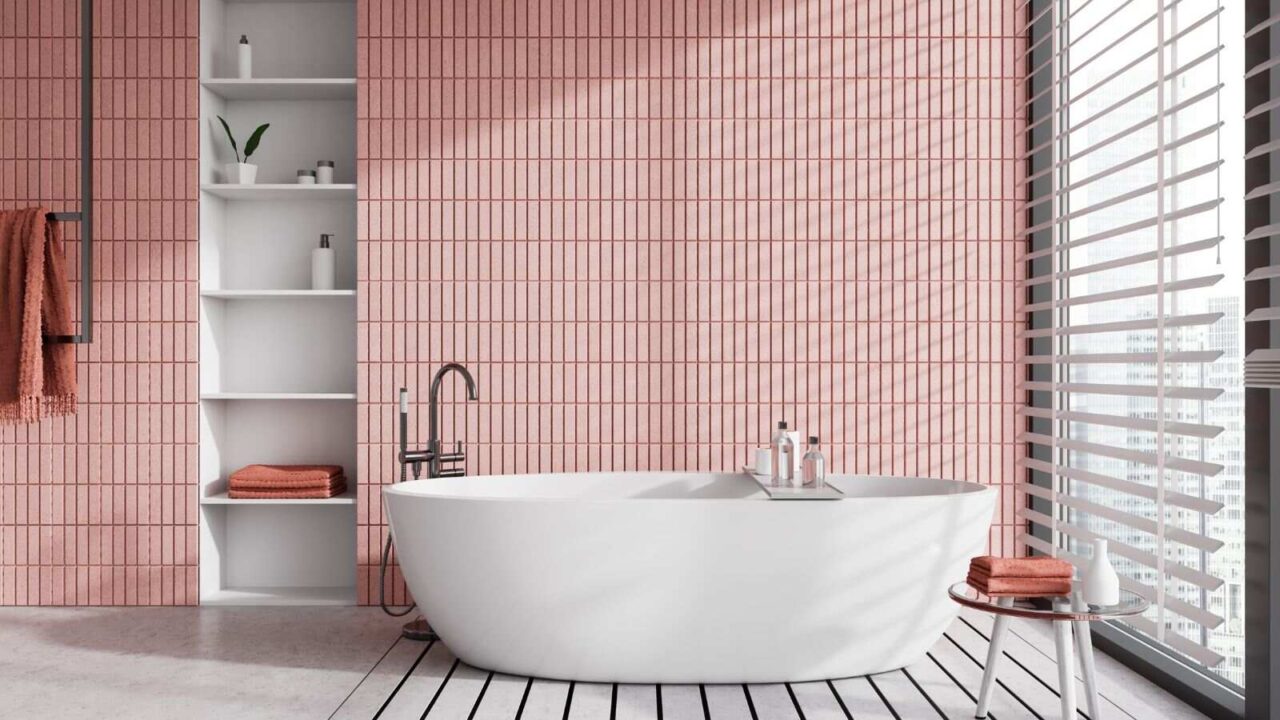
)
(653, 229)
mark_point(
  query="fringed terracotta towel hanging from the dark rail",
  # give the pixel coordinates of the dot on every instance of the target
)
(38, 379)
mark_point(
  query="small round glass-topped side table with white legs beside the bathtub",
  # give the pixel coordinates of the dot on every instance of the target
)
(1068, 614)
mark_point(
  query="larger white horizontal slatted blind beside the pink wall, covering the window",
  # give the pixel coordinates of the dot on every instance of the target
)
(1130, 318)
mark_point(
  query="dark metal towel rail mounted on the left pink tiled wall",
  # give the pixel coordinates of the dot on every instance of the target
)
(86, 215)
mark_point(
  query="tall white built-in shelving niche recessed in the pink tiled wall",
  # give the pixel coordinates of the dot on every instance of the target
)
(277, 359)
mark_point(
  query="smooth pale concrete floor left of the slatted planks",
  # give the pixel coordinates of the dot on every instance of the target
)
(226, 663)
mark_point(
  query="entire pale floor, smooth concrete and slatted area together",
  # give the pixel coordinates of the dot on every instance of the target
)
(310, 663)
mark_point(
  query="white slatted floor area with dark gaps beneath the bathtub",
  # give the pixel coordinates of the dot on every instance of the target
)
(426, 681)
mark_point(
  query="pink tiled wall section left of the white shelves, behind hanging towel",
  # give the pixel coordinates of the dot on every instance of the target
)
(100, 508)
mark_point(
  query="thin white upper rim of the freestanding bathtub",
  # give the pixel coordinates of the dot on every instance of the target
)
(423, 489)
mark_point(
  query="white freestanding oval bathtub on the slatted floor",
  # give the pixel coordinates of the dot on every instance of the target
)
(685, 578)
